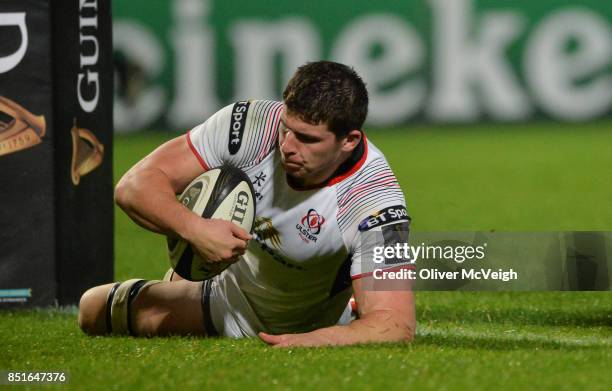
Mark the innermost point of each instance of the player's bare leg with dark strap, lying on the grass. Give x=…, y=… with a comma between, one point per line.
x=162, y=308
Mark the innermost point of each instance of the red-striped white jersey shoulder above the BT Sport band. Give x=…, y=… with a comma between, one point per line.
x=372, y=189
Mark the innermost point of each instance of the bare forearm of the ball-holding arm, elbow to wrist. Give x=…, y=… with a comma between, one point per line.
x=149, y=199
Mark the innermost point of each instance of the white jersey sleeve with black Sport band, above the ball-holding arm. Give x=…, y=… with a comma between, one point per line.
x=241, y=134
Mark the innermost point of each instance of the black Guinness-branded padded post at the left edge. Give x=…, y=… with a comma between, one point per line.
x=56, y=202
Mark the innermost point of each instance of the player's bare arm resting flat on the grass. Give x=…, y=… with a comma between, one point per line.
x=385, y=316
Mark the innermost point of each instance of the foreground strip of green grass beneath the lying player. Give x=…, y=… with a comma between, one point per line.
x=465, y=341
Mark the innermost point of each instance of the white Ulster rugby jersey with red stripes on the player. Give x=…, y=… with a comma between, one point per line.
x=296, y=274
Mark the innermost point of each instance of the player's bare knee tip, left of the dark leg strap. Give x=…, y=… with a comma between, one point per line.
x=92, y=308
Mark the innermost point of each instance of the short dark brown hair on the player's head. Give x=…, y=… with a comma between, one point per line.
x=326, y=92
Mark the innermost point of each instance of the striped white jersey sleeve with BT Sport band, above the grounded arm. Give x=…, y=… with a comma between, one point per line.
x=372, y=215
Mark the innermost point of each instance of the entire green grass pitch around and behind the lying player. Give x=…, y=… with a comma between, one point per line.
x=535, y=177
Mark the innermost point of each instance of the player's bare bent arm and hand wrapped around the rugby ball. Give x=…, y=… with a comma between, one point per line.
x=147, y=193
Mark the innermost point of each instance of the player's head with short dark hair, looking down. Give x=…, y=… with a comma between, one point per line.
x=325, y=106
